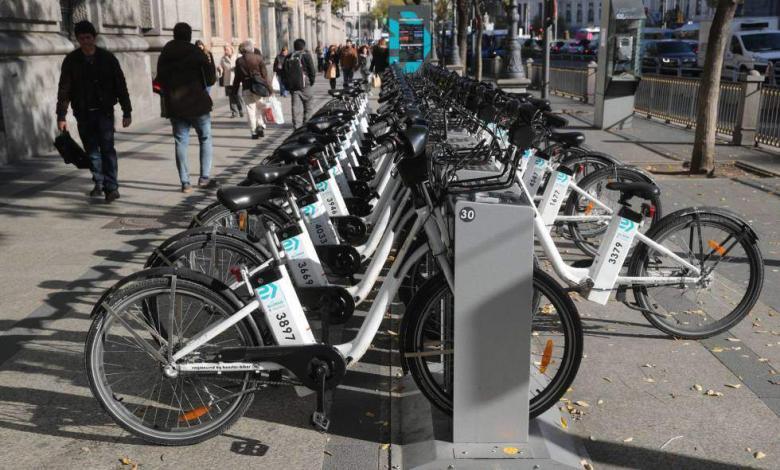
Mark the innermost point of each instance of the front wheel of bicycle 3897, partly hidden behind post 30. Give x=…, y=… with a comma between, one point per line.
x=556, y=343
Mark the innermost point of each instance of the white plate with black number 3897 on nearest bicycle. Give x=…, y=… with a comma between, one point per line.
x=284, y=311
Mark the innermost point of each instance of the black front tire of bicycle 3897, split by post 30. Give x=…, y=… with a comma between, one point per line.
x=412, y=333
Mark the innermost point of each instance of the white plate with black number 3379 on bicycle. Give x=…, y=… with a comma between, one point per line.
x=612, y=253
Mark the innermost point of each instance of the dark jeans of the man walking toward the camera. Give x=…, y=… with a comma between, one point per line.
x=96, y=130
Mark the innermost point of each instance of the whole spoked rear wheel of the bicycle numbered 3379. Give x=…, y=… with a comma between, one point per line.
x=728, y=288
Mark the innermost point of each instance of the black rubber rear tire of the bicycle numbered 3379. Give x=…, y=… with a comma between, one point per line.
x=640, y=260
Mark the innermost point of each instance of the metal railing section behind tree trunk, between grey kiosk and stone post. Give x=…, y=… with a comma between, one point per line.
x=674, y=100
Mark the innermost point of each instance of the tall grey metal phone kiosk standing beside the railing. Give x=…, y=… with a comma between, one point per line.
x=619, y=62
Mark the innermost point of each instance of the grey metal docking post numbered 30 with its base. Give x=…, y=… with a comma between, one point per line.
x=490, y=426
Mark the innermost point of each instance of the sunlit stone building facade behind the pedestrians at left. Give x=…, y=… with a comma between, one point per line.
x=35, y=36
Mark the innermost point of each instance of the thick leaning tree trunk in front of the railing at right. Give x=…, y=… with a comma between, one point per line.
x=703, y=156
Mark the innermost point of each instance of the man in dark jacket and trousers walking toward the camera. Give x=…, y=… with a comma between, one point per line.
x=92, y=82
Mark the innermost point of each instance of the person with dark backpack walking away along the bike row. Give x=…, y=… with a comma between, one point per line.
x=298, y=75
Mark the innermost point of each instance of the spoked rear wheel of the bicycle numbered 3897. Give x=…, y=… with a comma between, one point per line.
x=128, y=380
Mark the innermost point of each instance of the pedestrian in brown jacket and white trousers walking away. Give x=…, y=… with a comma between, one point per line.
x=252, y=77
